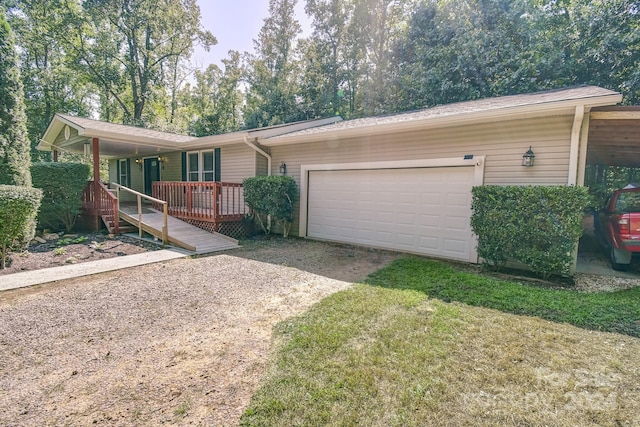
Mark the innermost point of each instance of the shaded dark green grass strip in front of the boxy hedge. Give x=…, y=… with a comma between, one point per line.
x=611, y=312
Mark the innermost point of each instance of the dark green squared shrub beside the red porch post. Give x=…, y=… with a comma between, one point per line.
x=62, y=185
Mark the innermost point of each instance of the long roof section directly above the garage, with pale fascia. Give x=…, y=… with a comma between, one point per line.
x=550, y=102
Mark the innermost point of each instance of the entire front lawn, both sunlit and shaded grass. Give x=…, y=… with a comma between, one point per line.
x=409, y=348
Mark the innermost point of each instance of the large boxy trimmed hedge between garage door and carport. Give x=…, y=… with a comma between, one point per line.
x=538, y=226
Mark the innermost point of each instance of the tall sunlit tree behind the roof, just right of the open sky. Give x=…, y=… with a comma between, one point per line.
x=271, y=71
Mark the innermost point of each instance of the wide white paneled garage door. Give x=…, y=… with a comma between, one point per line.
x=420, y=210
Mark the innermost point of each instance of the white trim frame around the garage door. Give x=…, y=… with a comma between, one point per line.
x=476, y=162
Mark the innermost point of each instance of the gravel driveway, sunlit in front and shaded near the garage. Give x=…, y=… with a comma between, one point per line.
x=183, y=342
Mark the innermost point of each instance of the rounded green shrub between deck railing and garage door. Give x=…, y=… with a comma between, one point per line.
x=271, y=195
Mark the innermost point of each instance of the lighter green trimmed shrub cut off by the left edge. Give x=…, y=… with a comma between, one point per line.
x=18, y=210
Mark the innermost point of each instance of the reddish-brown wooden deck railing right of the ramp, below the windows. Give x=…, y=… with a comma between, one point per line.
x=203, y=201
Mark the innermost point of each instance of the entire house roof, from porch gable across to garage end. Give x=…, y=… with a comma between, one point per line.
x=70, y=133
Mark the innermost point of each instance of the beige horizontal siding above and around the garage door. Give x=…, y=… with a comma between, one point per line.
x=503, y=144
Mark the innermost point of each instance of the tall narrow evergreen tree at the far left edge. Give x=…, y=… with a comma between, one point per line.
x=14, y=143
